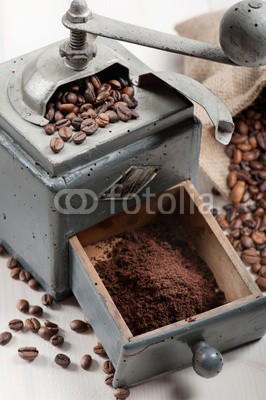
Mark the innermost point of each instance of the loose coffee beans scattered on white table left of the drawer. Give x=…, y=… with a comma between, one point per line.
x=50, y=331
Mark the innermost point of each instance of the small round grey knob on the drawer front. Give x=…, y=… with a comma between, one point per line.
x=207, y=361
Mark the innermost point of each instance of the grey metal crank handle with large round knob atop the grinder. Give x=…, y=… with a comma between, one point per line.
x=242, y=34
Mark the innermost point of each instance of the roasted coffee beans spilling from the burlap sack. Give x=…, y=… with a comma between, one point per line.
x=245, y=217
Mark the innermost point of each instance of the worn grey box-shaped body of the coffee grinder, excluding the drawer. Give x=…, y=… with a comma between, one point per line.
x=165, y=139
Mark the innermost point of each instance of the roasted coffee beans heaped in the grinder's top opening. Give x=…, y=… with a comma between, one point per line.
x=76, y=111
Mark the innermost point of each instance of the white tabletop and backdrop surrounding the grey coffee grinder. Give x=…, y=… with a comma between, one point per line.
x=25, y=26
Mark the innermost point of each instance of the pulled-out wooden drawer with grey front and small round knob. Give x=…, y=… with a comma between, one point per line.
x=171, y=347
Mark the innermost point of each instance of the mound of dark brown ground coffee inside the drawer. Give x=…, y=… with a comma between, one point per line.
x=156, y=280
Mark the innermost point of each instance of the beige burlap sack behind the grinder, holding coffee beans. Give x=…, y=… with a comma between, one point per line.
x=238, y=87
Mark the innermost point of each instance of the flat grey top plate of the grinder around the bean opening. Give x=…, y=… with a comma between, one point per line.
x=157, y=106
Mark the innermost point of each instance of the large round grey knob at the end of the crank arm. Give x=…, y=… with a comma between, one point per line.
x=243, y=33
